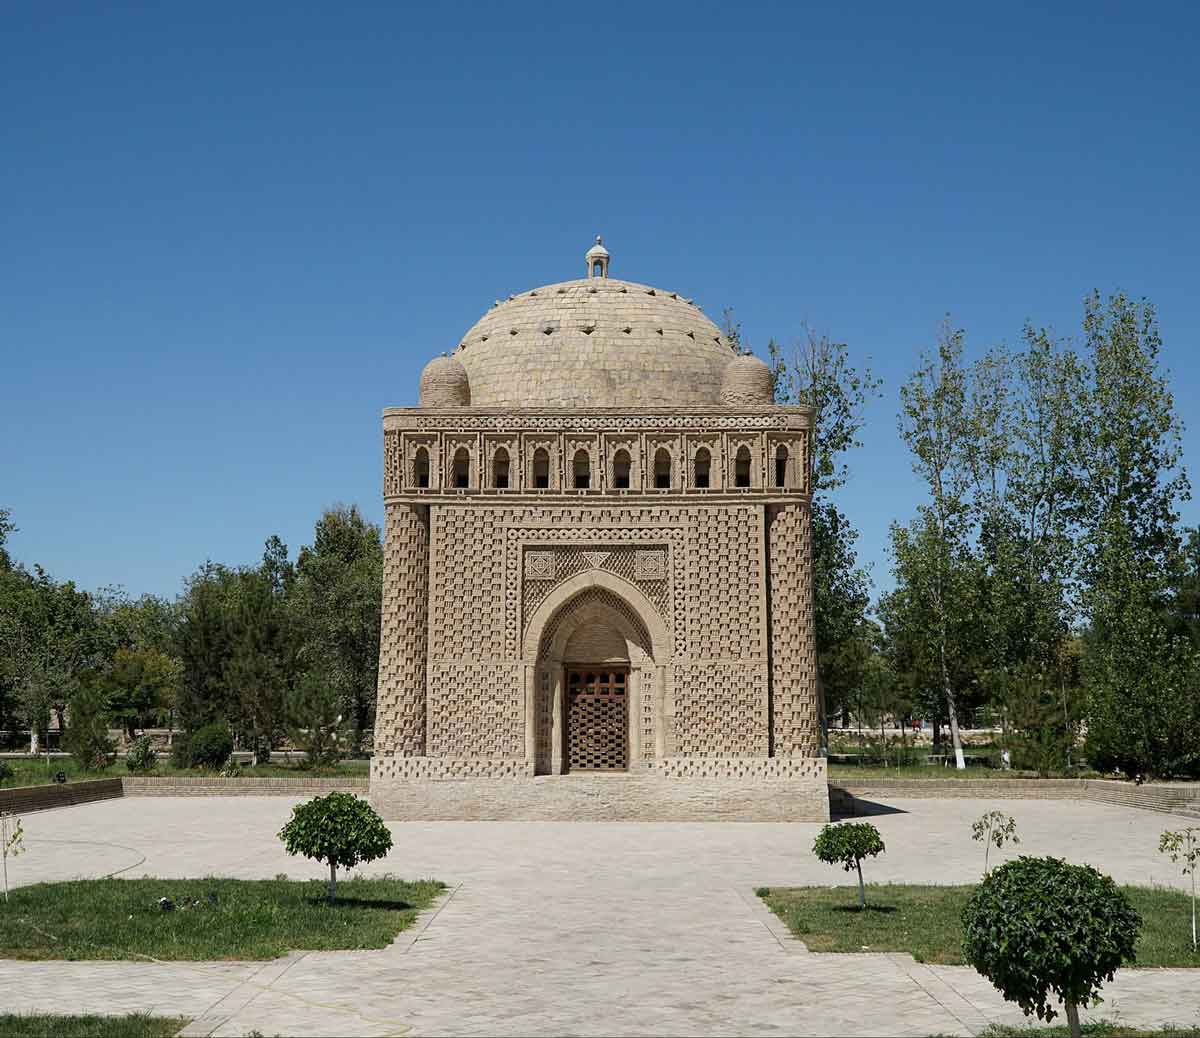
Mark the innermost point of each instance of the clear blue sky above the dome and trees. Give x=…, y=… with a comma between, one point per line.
x=231, y=236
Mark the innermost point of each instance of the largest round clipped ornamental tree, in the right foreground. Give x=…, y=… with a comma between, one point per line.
x=1040, y=928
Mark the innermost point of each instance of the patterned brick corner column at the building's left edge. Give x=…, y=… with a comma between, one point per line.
x=404, y=639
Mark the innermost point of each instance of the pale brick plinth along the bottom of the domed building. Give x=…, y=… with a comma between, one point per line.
x=680, y=790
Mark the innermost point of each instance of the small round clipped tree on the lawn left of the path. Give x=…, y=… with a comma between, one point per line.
x=338, y=829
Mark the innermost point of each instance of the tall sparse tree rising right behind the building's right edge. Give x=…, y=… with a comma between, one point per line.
x=820, y=374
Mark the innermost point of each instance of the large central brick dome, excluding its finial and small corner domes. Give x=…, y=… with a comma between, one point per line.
x=595, y=343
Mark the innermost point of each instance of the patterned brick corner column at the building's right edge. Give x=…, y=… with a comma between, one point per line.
x=794, y=661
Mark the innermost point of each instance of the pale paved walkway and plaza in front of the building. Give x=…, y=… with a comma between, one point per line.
x=577, y=929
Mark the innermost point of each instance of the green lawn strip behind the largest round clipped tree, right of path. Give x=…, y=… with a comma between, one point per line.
x=927, y=921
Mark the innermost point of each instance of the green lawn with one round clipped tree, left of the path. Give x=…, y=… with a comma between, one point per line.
x=214, y=919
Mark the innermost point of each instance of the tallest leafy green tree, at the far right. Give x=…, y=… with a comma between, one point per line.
x=1143, y=679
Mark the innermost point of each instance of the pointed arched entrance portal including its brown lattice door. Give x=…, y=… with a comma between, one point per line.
x=596, y=652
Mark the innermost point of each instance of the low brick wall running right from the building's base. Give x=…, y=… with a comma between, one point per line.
x=1183, y=800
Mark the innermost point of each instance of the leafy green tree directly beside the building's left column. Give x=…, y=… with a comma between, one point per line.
x=335, y=601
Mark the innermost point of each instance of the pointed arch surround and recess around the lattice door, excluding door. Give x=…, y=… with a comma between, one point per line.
x=601, y=614
